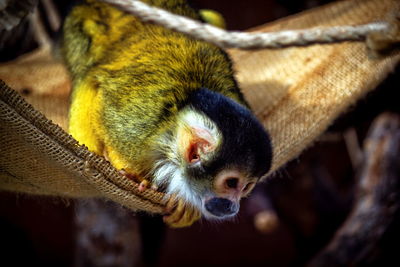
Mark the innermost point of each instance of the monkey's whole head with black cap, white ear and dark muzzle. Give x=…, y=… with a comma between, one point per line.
x=222, y=151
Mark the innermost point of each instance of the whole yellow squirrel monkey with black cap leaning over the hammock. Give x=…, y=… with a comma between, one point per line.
x=163, y=107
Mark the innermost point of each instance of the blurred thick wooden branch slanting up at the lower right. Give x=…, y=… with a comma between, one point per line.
x=377, y=199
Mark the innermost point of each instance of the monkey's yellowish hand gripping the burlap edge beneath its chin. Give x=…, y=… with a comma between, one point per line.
x=180, y=213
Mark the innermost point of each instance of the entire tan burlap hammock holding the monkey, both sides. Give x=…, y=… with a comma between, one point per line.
x=295, y=92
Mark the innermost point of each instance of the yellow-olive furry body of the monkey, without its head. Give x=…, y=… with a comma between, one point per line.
x=130, y=78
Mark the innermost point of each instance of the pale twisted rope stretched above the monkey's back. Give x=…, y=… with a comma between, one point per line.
x=234, y=39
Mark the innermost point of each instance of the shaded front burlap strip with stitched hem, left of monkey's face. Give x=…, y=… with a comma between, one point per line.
x=38, y=157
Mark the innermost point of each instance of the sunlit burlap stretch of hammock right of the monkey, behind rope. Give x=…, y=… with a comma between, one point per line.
x=298, y=92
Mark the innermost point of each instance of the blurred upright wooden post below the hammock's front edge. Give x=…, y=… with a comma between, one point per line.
x=107, y=235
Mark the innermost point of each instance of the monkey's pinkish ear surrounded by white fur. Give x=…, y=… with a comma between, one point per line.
x=195, y=143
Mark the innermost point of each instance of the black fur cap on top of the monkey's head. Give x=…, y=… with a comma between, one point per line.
x=245, y=143
